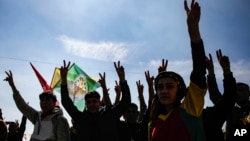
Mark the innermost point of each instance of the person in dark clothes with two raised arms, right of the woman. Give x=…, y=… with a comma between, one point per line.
x=215, y=116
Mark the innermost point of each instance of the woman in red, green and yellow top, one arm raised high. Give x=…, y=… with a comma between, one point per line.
x=176, y=111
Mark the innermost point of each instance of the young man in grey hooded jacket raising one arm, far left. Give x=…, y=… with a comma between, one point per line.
x=49, y=123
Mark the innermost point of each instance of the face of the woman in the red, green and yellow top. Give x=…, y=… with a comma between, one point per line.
x=167, y=91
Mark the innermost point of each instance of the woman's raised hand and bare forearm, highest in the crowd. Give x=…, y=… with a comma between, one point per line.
x=193, y=18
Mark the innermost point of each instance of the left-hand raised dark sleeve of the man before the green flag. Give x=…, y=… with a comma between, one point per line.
x=68, y=104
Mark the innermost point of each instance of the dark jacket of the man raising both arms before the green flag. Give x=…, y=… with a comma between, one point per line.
x=102, y=126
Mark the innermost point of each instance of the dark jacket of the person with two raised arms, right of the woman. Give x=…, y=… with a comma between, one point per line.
x=215, y=116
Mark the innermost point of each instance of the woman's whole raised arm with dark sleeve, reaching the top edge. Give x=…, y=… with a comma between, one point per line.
x=197, y=46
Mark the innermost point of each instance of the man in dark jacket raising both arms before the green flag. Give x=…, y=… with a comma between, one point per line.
x=96, y=123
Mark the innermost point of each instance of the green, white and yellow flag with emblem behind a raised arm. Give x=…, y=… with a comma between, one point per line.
x=79, y=83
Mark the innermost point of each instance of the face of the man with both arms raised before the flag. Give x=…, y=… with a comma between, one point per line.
x=93, y=105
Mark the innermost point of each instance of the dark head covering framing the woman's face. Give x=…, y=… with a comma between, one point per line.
x=181, y=84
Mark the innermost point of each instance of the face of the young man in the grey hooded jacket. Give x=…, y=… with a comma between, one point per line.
x=46, y=104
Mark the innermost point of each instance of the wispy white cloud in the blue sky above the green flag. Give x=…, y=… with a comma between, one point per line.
x=105, y=51
